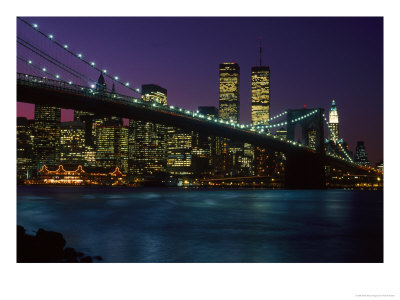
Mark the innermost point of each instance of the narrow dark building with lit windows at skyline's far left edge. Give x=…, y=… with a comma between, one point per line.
x=24, y=148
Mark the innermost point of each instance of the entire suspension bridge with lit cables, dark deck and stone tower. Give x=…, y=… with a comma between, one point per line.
x=67, y=86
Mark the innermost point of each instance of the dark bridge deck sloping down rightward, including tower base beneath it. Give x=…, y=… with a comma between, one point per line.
x=300, y=159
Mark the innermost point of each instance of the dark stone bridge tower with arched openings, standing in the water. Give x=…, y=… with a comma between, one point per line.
x=304, y=170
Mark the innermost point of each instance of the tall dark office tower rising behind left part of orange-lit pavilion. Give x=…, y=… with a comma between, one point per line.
x=46, y=142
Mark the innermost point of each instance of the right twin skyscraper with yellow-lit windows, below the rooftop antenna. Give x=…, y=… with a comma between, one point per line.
x=260, y=93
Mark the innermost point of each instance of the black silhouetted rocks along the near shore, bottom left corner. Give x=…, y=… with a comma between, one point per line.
x=47, y=247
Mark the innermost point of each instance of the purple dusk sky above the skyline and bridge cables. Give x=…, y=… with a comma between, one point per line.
x=312, y=61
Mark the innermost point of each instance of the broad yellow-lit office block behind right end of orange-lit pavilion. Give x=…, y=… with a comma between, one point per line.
x=111, y=146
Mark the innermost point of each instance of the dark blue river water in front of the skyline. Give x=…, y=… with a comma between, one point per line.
x=191, y=225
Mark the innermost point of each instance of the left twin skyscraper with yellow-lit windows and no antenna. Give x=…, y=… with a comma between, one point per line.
x=229, y=92
